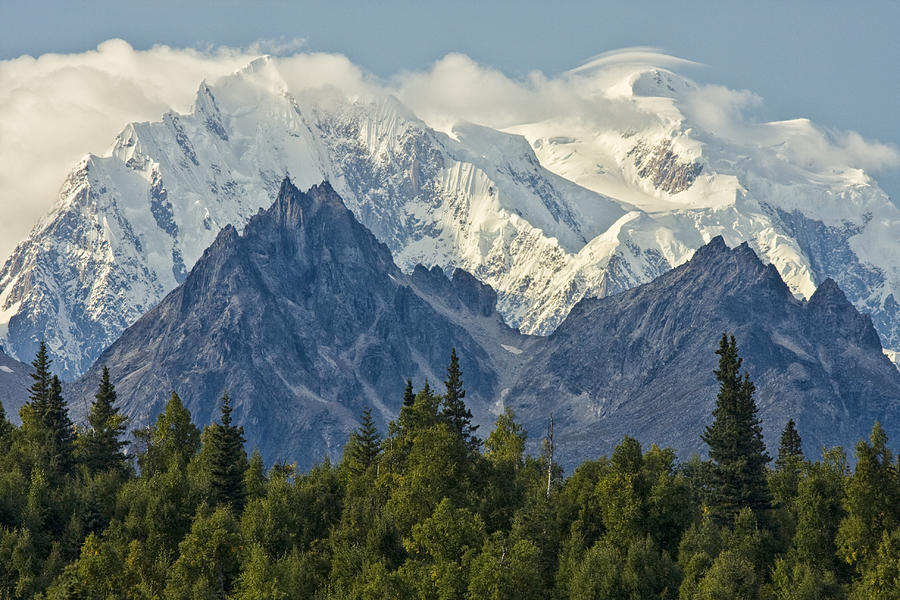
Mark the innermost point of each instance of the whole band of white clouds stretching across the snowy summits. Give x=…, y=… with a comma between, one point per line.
x=56, y=108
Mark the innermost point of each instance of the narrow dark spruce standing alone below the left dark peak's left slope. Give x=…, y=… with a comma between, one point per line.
x=228, y=460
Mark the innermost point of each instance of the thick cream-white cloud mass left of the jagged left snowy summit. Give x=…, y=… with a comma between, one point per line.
x=58, y=107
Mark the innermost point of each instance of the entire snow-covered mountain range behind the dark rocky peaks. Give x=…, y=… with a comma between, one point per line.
x=546, y=213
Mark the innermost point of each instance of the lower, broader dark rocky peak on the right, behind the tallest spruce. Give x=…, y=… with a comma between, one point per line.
x=641, y=362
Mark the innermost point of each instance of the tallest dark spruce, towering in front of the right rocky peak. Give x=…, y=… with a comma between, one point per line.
x=735, y=442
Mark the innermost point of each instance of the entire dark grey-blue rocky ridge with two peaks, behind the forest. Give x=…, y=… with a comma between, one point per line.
x=305, y=320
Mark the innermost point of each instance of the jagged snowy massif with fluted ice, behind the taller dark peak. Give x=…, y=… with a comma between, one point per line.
x=128, y=226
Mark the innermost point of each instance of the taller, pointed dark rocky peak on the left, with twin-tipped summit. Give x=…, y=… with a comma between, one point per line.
x=304, y=319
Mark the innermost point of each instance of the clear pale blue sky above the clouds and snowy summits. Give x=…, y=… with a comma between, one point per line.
x=834, y=62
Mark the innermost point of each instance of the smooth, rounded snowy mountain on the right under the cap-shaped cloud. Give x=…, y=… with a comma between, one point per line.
x=697, y=178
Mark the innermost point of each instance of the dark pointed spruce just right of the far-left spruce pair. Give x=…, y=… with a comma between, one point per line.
x=101, y=446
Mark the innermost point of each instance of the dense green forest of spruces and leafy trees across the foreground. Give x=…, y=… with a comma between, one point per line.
x=428, y=509
